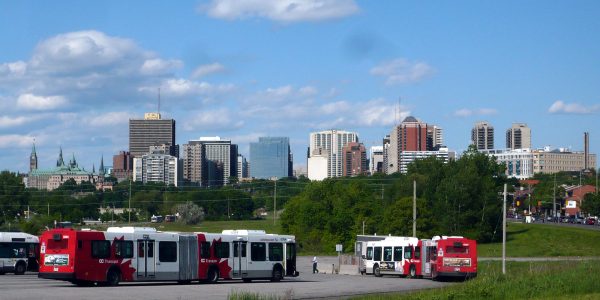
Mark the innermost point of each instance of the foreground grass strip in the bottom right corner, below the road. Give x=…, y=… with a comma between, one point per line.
x=524, y=280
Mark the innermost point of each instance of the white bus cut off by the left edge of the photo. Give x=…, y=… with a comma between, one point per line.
x=18, y=252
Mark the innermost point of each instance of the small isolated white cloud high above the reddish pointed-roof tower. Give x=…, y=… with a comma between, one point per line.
x=402, y=71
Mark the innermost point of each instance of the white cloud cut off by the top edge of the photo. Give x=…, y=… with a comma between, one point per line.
x=286, y=11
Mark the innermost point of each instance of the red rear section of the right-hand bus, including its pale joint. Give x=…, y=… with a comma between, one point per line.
x=449, y=256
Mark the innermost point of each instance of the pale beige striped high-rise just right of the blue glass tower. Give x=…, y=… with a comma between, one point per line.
x=332, y=141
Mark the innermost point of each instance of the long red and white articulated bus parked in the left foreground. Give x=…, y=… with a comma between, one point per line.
x=84, y=257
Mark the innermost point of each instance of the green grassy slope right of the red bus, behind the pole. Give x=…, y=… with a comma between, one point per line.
x=530, y=240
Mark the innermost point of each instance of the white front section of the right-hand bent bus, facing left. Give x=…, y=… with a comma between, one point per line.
x=393, y=256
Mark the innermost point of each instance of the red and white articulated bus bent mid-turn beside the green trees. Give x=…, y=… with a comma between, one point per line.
x=445, y=256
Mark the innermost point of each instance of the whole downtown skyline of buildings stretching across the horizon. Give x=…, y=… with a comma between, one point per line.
x=154, y=156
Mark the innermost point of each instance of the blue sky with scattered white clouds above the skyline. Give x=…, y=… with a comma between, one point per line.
x=72, y=73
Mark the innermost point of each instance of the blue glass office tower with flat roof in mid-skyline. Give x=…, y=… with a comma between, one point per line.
x=271, y=157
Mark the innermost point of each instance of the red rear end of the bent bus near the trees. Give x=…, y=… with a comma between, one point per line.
x=456, y=257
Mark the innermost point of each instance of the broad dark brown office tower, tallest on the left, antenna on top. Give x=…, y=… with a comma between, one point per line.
x=151, y=131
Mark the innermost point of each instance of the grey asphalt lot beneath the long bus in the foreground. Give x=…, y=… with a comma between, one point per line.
x=306, y=286
